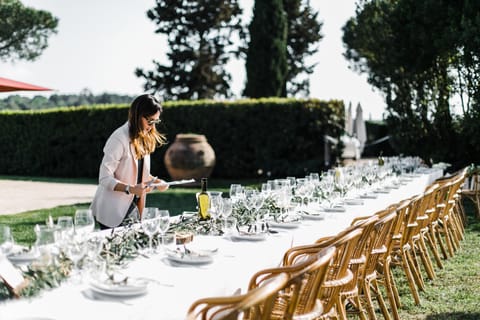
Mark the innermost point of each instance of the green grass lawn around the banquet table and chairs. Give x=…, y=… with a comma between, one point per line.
x=454, y=294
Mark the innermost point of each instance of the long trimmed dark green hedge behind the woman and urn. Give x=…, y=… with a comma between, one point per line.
x=251, y=138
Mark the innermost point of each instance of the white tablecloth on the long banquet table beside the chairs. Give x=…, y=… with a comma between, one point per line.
x=174, y=287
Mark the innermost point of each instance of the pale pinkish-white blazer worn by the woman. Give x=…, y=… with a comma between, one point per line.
x=119, y=165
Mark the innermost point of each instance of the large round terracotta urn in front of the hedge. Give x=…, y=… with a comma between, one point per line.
x=189, y=156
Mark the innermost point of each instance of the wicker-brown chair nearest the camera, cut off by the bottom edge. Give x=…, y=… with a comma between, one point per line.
x=255, y=304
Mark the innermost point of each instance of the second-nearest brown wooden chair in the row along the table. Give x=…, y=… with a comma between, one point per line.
x=300, y=298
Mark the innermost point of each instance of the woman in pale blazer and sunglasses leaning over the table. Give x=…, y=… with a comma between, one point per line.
x=124, y=176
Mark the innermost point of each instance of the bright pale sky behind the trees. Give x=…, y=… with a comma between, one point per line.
x=100, y=43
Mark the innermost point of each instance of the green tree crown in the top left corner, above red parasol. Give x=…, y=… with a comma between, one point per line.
x=24, y=31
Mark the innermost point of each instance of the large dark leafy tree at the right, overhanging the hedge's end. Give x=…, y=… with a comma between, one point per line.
x=421, y=55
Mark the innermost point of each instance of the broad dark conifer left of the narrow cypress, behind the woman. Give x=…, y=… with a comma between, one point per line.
x=201, y=38
